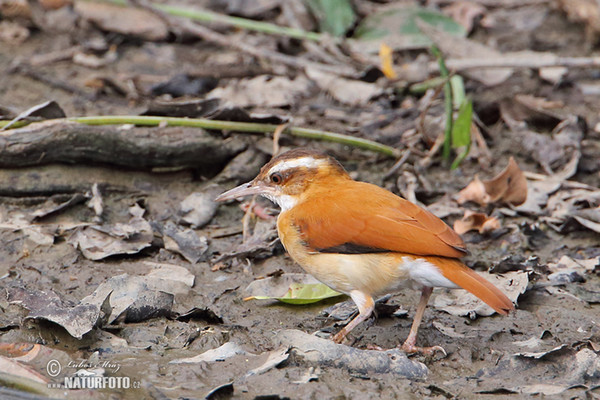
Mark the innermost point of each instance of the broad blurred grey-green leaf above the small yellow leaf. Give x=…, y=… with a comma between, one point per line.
x=397, y=27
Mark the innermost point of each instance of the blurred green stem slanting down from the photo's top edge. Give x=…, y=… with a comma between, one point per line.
x=209, y=16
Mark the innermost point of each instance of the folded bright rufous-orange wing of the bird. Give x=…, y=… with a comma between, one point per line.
x=366, y=216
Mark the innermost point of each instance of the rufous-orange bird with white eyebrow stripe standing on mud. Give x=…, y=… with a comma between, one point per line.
x=363, y=240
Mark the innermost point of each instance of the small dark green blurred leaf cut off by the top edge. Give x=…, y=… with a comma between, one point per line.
x=334, y=16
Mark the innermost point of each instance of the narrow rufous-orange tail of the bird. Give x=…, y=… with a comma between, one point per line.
x=471, y=281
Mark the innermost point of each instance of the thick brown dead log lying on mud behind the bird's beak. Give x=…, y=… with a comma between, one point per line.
x=140, y=147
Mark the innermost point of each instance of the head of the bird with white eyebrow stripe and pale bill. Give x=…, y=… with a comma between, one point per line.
x=287, y=178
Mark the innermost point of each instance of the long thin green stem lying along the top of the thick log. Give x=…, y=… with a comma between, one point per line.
x=250, y=127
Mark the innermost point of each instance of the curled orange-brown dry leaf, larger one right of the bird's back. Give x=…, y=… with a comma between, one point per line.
x=509, y=186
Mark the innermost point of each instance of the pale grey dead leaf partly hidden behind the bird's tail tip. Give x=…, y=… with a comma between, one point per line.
x=460, y=302
